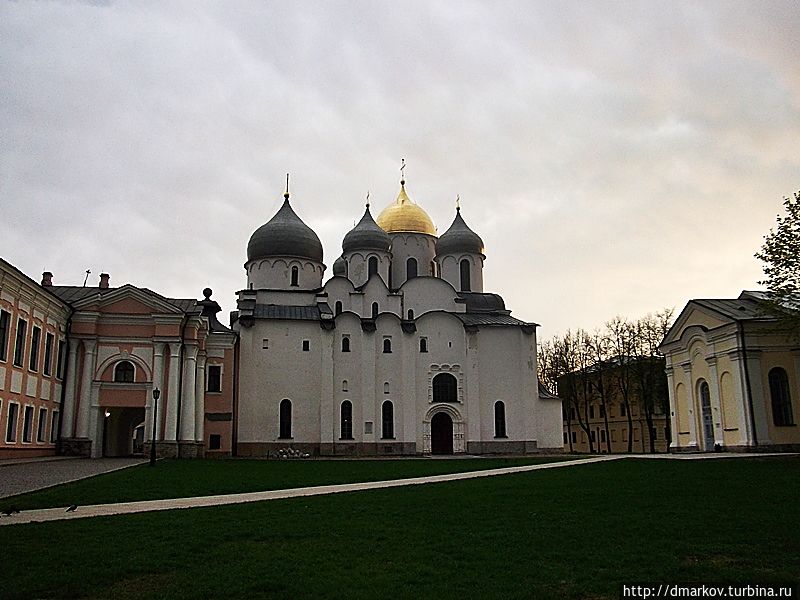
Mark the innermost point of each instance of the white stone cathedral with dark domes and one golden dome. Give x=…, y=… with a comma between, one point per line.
x=400, y=352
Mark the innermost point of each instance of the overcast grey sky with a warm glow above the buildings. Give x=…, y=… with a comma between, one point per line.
x=616, y=157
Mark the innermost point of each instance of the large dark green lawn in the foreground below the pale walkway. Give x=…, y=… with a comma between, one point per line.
x=577, y=532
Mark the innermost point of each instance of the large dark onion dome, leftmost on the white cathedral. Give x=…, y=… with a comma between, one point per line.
x=285, y=234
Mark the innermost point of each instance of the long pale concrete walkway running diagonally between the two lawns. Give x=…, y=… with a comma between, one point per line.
x=97, y=510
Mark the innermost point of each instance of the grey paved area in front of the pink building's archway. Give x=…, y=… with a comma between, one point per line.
x=30, y=475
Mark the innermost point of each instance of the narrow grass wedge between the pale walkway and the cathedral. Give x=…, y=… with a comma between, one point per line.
x=185, y=478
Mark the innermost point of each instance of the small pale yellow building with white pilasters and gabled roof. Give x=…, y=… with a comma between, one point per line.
x=733, y=377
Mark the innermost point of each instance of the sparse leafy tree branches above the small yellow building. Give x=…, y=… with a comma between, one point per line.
x=780, y=254
